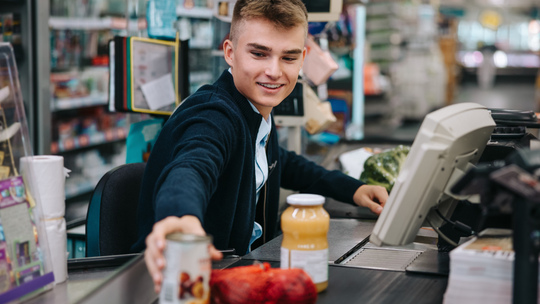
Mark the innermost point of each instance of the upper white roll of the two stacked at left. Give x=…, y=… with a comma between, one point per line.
x=48, y=177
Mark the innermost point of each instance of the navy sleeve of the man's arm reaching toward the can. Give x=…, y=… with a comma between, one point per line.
x=201, y=139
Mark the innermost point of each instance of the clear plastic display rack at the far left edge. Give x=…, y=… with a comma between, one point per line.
x=25, y=265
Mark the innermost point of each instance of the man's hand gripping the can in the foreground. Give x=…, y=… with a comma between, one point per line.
x=155, y=243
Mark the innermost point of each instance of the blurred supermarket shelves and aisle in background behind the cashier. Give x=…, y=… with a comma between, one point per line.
x=418, y=56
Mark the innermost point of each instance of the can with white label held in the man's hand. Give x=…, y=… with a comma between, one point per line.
x=186, y=276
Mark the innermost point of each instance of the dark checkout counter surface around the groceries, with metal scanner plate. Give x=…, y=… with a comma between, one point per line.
x=384, y=280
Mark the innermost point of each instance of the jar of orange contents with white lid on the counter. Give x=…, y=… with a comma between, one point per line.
x=305, y=245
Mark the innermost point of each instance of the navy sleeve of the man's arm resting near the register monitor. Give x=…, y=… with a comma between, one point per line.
x=300, y=174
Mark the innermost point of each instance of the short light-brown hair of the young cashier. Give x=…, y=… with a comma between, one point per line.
x=283, y=14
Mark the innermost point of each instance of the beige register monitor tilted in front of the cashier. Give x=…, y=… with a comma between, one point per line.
x=449, y=142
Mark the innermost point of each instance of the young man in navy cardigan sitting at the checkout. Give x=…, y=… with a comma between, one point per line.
x=217, y=167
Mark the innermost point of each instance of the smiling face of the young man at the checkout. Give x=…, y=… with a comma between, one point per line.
x=265, y=62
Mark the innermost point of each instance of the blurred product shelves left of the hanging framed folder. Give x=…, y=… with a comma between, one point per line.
x=82, y=130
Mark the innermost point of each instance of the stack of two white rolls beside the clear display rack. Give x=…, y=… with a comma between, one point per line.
x=48, y=175
